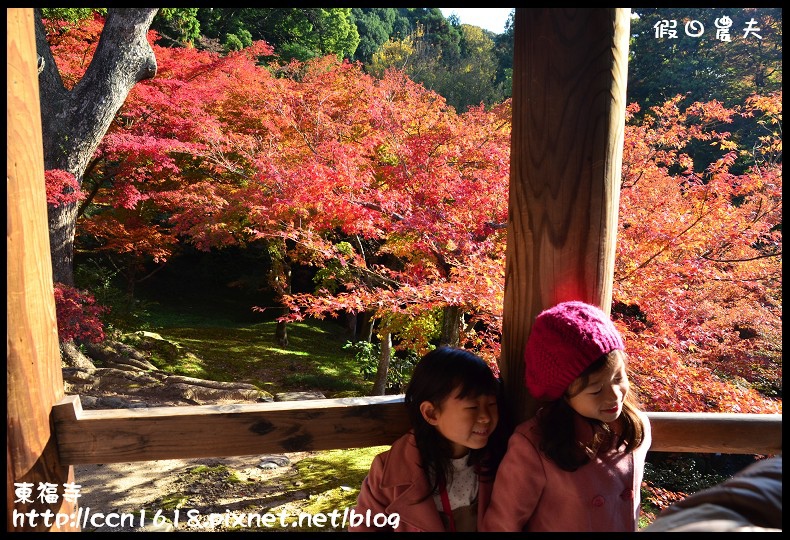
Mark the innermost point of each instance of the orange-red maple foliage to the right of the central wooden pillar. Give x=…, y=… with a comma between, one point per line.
x=698, y=269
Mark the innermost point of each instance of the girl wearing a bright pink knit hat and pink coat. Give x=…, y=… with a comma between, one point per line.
x=578, y=464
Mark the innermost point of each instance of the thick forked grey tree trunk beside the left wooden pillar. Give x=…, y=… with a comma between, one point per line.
x=74, y=121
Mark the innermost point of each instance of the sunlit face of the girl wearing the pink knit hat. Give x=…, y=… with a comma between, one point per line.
x=602, y=397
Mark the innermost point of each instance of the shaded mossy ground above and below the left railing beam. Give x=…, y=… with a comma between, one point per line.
x=210, y=332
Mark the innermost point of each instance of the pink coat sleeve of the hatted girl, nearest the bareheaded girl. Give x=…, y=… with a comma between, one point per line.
x=517, y=488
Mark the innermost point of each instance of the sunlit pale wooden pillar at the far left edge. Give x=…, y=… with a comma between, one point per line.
x=35, y=380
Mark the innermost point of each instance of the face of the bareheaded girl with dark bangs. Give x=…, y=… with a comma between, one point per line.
x=465, y=422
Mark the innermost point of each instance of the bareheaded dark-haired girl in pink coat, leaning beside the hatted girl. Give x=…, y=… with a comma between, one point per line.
x=438, y=476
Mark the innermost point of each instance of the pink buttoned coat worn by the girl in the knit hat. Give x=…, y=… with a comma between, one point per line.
x=532, y=494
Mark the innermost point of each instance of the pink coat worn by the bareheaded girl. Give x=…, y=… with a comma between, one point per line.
x=394, y=484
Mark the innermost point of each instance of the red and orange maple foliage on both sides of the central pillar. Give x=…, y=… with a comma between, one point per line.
x=400, y=202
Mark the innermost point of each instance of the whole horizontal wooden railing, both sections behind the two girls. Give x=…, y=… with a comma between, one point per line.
x=122, y=435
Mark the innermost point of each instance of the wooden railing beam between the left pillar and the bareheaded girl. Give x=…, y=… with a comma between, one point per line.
x=120, y=435
